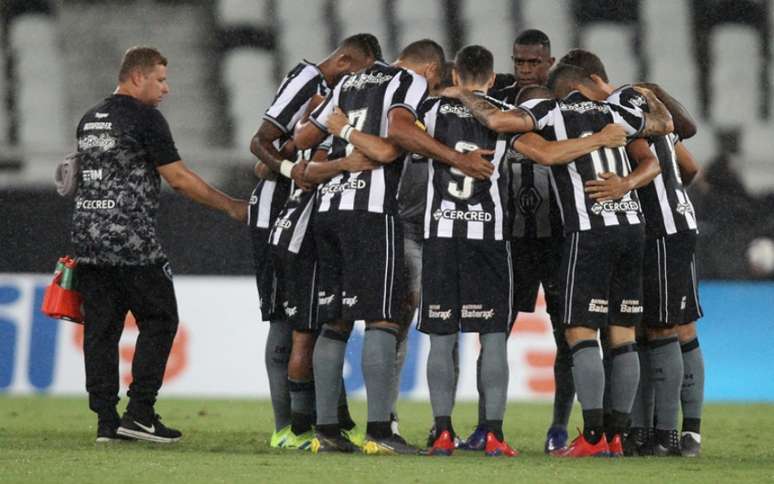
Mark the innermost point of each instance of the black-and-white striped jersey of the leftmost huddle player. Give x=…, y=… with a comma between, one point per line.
x=289, y=105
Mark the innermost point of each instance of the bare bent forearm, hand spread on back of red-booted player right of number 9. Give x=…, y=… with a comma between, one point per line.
x=613, y=187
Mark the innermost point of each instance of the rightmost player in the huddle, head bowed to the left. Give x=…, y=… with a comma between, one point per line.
x=669, y=278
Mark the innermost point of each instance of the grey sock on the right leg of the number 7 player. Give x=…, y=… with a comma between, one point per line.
x=378, y=369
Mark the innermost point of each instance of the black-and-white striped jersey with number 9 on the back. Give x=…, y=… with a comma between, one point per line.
x=460, y=206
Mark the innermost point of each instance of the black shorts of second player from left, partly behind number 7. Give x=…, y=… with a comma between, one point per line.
x=297, y=285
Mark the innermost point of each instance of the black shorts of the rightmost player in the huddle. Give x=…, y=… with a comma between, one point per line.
x=670, y=290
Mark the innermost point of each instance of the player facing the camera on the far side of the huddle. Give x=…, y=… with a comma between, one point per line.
x=536, y=236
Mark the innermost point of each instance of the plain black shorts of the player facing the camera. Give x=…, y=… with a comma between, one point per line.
x=536, y=262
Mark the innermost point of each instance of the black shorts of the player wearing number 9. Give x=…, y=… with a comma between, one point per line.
x=467, y=285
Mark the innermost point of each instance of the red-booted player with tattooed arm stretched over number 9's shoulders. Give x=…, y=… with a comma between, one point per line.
x=607, y=231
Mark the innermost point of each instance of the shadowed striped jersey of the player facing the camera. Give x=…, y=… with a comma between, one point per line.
x=533, y=207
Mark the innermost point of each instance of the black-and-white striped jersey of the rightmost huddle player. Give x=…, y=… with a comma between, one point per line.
x=665, y=202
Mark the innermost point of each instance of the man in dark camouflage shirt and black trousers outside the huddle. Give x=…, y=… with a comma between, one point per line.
x=125, y=145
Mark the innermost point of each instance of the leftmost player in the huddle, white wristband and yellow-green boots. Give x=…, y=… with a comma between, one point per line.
x=272, y=144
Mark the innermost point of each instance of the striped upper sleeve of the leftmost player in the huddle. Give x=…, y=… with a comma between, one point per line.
x=292, y=99
